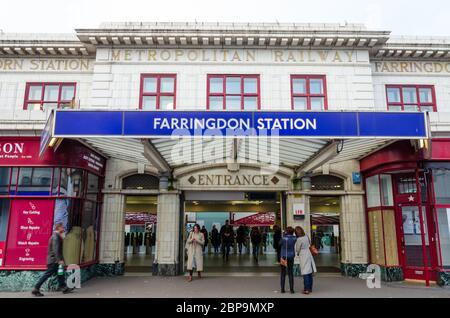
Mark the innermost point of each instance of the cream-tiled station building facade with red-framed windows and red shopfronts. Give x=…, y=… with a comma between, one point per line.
x=392, y=193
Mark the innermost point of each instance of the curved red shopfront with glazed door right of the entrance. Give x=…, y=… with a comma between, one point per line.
x=408, y=210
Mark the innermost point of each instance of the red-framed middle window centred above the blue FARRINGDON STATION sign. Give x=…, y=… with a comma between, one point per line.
x=233, y=92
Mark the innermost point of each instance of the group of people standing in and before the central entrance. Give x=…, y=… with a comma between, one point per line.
x=293, y=248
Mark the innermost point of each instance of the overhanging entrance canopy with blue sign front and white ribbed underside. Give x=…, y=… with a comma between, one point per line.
x=174, y=139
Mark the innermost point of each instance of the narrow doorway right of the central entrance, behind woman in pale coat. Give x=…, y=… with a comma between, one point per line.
x=325, y=231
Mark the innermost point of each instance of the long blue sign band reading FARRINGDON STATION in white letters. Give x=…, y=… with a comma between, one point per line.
x=162, y=124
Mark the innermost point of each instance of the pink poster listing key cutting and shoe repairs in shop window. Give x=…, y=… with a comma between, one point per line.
x=30, y=228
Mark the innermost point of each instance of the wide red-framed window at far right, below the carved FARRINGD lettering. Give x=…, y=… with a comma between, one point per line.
x=411, y=98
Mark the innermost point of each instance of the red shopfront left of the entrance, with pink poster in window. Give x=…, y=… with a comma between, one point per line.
x=63, y=186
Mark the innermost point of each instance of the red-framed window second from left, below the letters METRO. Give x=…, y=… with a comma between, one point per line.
x=158, y=91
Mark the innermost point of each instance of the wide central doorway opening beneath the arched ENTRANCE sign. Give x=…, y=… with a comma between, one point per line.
x=245, y=212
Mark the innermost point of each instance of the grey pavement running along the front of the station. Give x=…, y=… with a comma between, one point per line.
x=239, y=286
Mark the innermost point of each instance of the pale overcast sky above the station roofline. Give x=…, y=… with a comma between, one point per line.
x=402, y=17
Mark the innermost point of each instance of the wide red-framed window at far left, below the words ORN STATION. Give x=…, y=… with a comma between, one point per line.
x=40, y=96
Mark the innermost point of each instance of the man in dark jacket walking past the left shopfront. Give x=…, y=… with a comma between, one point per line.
x=54, y=259
